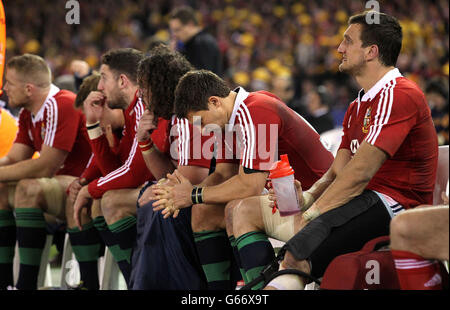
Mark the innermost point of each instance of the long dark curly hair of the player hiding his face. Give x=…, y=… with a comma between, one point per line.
x=158, y=74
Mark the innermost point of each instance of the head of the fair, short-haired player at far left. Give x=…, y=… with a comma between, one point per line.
x=25, y=76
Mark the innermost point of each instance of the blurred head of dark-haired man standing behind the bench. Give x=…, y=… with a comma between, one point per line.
x=183, y=23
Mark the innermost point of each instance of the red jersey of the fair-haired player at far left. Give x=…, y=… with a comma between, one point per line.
x=57, y=124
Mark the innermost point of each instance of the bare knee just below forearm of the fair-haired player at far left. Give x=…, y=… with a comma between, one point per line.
x=28, y=194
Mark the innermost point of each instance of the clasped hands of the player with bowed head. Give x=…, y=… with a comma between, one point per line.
x=177, y=196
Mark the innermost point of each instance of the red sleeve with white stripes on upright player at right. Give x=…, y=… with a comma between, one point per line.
x=396, y=114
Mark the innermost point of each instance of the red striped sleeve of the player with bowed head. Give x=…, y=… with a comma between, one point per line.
x=258, y=130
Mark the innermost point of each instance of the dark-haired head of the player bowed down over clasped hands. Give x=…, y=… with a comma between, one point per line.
x=201, y=93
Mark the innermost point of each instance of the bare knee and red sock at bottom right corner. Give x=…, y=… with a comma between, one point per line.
x=419, y=238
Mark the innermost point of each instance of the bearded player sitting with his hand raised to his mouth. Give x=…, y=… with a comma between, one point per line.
x=123, y=173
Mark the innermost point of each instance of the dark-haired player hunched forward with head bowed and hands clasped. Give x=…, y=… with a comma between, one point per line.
x=261, y=120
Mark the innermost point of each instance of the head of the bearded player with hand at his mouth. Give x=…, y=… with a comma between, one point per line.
x=118, y=76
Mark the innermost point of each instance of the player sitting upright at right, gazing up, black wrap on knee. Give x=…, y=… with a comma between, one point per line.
x=386, y=162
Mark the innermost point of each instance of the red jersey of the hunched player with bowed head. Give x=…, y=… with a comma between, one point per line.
x=267, y=128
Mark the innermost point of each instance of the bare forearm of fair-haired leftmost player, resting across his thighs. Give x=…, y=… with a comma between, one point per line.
x=30, y=168
